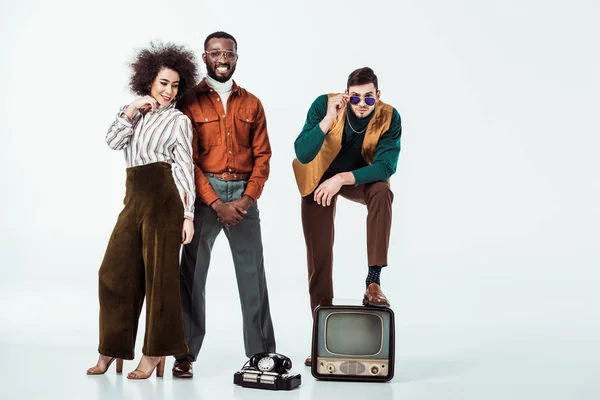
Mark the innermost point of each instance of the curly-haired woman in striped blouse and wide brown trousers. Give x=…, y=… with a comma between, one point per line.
x=142, y=257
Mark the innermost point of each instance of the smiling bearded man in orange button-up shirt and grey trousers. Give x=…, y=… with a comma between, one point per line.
x=231, y=154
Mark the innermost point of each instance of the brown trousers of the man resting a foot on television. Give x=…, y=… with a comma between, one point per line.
x=318, y=225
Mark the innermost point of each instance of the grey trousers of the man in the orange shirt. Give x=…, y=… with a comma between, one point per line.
x=246, y=247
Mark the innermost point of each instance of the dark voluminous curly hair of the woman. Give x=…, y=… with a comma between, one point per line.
x=148, y=62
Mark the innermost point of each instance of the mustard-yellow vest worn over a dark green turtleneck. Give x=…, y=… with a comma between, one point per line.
x=308, y=175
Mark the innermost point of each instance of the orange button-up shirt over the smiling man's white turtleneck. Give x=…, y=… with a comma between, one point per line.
x=235, y=141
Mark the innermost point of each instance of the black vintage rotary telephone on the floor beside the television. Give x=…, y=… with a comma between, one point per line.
x=267, y=371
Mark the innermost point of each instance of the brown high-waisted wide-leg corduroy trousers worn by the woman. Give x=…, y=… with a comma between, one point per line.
x=142, y=259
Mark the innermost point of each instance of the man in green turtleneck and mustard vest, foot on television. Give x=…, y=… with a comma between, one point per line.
x=349, y=146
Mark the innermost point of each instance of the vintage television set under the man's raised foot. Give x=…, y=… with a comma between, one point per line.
x=352, y=342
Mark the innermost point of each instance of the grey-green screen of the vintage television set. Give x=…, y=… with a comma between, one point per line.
x=353, y=333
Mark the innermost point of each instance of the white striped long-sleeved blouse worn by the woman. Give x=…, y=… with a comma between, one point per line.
x=163, y=135
